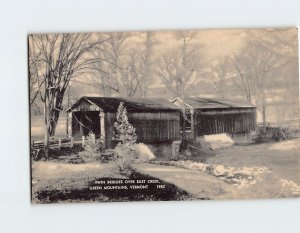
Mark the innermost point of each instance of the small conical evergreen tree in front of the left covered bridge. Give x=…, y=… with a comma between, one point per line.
x=124, y=131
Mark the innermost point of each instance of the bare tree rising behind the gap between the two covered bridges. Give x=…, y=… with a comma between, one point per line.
x=178, y=69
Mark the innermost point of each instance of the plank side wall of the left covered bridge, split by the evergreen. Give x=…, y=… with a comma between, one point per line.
x=151, y=127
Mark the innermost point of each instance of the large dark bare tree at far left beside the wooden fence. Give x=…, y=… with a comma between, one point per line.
x=60, y=57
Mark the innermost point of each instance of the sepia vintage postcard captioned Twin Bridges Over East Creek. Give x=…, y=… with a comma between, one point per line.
x=164, y=115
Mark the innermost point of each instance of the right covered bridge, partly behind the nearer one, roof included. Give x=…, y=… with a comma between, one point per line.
x=206, y=116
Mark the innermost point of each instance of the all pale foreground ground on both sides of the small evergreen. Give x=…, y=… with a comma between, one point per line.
x=269, y=170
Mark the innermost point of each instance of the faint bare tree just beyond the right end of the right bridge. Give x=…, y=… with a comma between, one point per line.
x=255, y=67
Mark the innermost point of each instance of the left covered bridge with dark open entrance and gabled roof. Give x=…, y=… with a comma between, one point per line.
x=155, y=119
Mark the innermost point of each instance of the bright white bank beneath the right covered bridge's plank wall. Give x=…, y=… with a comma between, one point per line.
x=216, y=141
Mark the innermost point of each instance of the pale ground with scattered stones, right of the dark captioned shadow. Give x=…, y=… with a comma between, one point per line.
x=239, y=172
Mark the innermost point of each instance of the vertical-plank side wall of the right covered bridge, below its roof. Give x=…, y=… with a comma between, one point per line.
x=225, y=121
